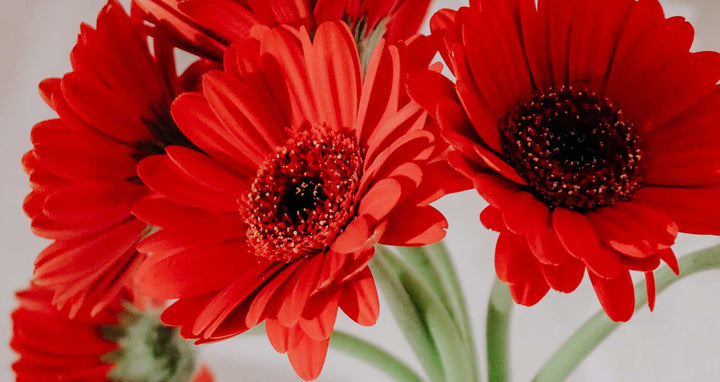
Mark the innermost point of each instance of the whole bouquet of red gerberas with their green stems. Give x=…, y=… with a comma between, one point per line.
x=221, y=165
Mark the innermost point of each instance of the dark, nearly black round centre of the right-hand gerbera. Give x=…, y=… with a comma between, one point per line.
x=575, y=149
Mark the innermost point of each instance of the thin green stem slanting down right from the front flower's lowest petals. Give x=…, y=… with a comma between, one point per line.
x=373, y=355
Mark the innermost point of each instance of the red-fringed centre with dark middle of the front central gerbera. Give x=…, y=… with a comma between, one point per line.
x=303, y=195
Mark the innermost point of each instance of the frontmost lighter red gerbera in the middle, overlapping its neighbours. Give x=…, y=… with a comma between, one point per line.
x=305, y=167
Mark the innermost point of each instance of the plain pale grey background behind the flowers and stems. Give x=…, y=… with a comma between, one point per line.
x=678, y=342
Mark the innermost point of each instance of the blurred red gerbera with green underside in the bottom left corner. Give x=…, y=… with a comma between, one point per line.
x=115, y=345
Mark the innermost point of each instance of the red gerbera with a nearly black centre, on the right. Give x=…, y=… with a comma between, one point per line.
x=590, y=130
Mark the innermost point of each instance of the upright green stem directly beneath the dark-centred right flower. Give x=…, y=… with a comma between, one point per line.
x=497, y=332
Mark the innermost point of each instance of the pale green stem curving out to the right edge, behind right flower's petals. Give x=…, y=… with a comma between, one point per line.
x=575, y=349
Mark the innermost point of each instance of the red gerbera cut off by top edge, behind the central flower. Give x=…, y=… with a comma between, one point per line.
x=208, y=27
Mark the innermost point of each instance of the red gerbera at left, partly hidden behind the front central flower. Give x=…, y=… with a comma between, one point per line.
x=114, y=109
